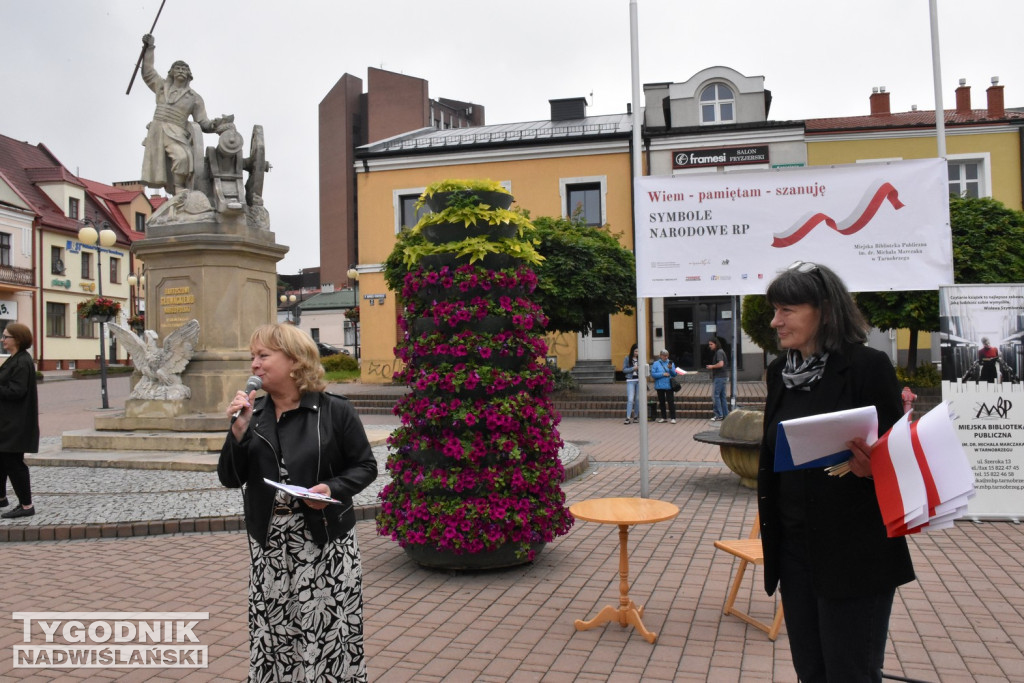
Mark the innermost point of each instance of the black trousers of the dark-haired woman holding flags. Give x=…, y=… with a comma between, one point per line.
x=833, y=641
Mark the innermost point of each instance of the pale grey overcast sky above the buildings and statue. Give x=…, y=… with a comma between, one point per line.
x=65, y=66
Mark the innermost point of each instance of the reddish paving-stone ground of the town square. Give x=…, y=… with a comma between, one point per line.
x=962, y=621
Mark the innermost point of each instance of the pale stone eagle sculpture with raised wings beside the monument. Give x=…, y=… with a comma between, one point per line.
x=161, y=366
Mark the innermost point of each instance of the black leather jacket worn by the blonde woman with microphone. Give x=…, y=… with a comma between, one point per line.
x=321, y=442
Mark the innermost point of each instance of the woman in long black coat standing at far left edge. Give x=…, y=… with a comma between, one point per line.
x=19, y=418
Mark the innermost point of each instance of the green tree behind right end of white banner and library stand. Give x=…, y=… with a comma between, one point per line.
x=989, y=247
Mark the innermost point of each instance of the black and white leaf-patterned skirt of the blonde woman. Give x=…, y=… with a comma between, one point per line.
x=306, y=607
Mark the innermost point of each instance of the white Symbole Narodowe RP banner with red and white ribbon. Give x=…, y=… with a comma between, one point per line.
x=882, y=227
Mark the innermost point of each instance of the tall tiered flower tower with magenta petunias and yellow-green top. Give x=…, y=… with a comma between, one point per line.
x=476, y=475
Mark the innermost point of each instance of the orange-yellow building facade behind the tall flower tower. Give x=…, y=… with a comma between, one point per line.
x=543, y=180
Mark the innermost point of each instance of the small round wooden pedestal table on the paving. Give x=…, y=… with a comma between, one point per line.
x=624, y=513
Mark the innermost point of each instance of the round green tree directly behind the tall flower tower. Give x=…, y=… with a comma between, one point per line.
x=585, y=276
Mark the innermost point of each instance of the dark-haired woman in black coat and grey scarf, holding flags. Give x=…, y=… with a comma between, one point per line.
x=825, y=543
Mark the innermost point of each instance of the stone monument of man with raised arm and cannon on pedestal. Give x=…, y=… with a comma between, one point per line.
x=209, y=253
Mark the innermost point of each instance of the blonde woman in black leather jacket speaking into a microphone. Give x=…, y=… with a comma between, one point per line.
x=306, y=588
